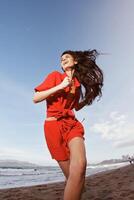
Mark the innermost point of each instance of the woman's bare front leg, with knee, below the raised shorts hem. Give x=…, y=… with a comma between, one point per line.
x=77, y=169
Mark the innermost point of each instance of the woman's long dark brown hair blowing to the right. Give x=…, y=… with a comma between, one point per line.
x=88, y=73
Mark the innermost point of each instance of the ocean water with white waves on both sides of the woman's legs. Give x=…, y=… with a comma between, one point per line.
x=17, y=177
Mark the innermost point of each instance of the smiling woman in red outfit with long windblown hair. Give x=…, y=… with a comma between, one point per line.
x=78, y=86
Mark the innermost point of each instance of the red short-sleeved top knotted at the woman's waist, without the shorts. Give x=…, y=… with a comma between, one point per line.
x=62, y=102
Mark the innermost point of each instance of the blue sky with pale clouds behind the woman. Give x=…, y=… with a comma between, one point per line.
x=33, y=34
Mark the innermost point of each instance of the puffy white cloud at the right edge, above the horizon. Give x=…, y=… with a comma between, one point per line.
x=116, y=129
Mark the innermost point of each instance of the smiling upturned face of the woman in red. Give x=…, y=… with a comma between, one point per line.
x=67, y=61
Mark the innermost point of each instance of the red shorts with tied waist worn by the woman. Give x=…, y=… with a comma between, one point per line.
x=58, y=133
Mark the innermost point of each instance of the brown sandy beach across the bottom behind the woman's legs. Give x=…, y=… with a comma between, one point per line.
x=117, y=184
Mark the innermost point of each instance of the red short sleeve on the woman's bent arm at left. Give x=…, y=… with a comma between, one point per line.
x=49, y=82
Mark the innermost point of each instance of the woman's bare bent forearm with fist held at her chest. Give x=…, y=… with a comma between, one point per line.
x=40, y=96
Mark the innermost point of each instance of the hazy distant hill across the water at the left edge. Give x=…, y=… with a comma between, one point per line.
x=16, y=164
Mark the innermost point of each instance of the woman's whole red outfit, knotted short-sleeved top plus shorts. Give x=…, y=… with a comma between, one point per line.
x=60, y=105
